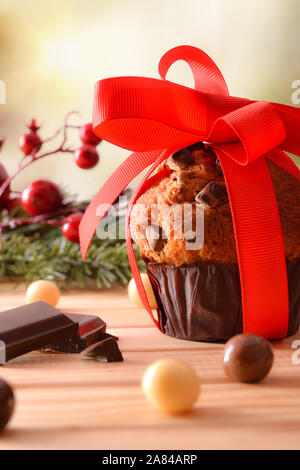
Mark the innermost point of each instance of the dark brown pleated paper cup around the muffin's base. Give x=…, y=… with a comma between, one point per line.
x=202, y=301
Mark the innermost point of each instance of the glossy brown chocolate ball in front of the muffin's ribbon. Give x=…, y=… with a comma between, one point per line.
x=247, y=358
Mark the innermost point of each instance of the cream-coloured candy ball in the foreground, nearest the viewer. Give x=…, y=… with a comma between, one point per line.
x=171, y=385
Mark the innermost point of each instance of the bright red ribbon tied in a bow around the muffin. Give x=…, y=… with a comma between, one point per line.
x=154, y=118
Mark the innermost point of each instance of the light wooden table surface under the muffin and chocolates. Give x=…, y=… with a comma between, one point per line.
x=67, y=402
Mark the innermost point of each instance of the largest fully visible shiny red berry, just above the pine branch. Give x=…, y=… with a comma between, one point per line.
x=41, y=196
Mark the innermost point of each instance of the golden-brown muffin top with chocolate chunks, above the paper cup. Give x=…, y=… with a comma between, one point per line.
x=184, y=216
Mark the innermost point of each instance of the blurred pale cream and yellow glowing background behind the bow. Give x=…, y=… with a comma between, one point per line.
x=53, y=51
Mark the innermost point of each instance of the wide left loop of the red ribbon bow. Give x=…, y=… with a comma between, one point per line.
x=154, y=115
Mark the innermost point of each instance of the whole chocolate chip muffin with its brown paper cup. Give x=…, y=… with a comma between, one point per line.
x=183, y=226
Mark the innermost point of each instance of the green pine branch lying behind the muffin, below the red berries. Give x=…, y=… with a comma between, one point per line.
x=37, y=251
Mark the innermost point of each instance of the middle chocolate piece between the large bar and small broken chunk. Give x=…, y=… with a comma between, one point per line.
x=91, y=328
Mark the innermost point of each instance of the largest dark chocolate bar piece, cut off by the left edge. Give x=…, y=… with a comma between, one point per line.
x=31, y=327
